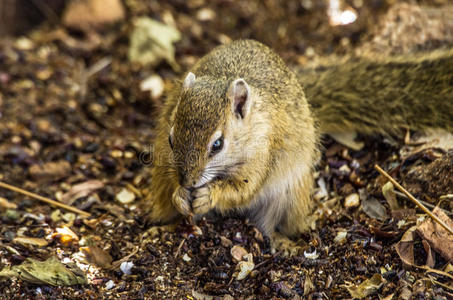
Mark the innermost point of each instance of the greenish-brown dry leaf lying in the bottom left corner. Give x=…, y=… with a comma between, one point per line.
x=50, y=271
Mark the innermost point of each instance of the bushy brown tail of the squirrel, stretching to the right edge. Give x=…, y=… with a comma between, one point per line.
x=383, y=95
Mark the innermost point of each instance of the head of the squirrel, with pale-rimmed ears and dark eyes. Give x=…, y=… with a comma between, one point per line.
x=210, y=118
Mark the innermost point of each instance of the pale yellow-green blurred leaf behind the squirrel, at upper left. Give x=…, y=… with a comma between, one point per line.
x=152, y=41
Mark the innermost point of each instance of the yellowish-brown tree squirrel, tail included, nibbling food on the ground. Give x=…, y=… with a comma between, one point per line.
x=238, y=134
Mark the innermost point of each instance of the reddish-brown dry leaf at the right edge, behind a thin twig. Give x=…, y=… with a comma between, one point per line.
x=438, y=238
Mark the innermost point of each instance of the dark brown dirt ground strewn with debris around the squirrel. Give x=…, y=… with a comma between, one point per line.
x=76, y=125
